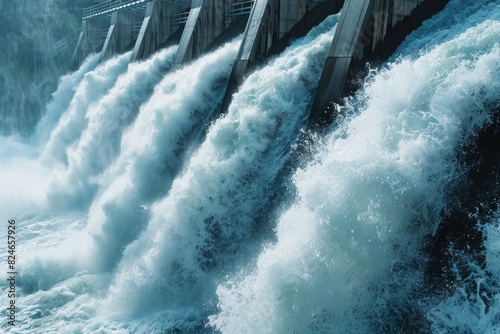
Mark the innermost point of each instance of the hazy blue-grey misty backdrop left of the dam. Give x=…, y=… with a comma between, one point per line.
x=38, y=38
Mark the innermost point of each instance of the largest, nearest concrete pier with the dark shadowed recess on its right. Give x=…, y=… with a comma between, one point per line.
x=367, y=30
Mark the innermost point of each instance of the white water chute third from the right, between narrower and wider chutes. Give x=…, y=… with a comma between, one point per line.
x=153, y=150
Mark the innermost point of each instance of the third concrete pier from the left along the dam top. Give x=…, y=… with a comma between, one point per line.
x=156, y=28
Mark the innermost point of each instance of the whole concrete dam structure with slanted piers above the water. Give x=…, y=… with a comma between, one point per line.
x=367, y=30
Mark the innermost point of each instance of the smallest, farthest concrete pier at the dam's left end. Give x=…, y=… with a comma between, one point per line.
x=88, y=41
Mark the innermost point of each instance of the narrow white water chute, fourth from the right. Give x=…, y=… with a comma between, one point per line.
x=99, y=143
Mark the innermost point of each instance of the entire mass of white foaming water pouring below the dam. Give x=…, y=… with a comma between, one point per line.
x=140, y=210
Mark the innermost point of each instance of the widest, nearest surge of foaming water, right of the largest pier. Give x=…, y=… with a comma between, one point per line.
x=349, y=248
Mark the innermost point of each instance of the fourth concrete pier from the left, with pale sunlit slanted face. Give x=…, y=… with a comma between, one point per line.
x=206, y=21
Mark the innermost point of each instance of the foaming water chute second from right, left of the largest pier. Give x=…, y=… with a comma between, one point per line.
x=209, y=211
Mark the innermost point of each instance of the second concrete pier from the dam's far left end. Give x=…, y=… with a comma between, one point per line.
x=119, y=34
